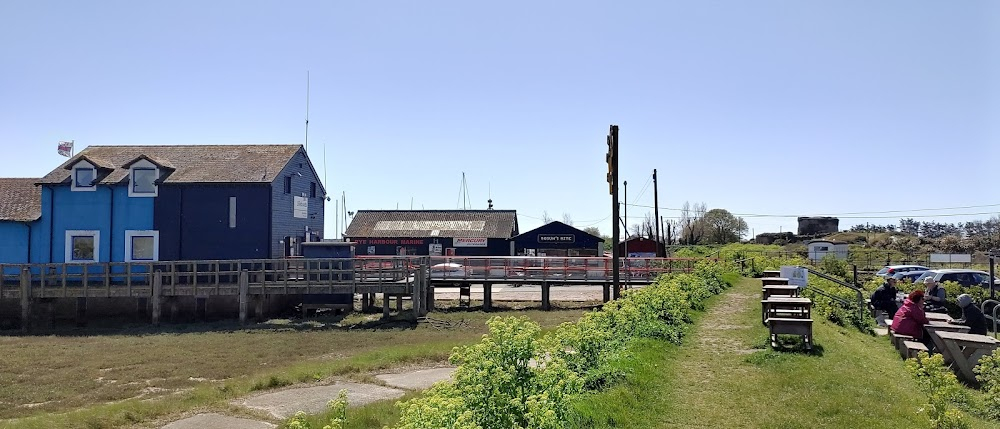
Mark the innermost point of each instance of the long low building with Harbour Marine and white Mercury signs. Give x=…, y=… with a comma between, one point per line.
x=433, y=232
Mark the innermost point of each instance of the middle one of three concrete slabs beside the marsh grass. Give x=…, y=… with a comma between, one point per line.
x=313, y=400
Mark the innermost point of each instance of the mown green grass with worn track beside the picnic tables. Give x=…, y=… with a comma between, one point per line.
x=725, y=376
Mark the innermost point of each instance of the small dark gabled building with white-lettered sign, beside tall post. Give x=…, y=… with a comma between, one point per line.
x=557, y=239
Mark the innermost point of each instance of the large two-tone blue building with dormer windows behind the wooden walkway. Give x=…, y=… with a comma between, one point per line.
x=151, y=203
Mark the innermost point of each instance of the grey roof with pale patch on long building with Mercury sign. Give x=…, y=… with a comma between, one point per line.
x=433, y=223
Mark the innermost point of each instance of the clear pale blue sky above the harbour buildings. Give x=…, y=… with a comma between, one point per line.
x=763, y=107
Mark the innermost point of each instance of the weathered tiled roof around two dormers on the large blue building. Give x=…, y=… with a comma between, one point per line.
x=187, y=164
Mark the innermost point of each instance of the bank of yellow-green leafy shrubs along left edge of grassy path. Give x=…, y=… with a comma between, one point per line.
x=515, y=378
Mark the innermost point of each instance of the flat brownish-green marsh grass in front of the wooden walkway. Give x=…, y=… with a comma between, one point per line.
x=125, y=376
